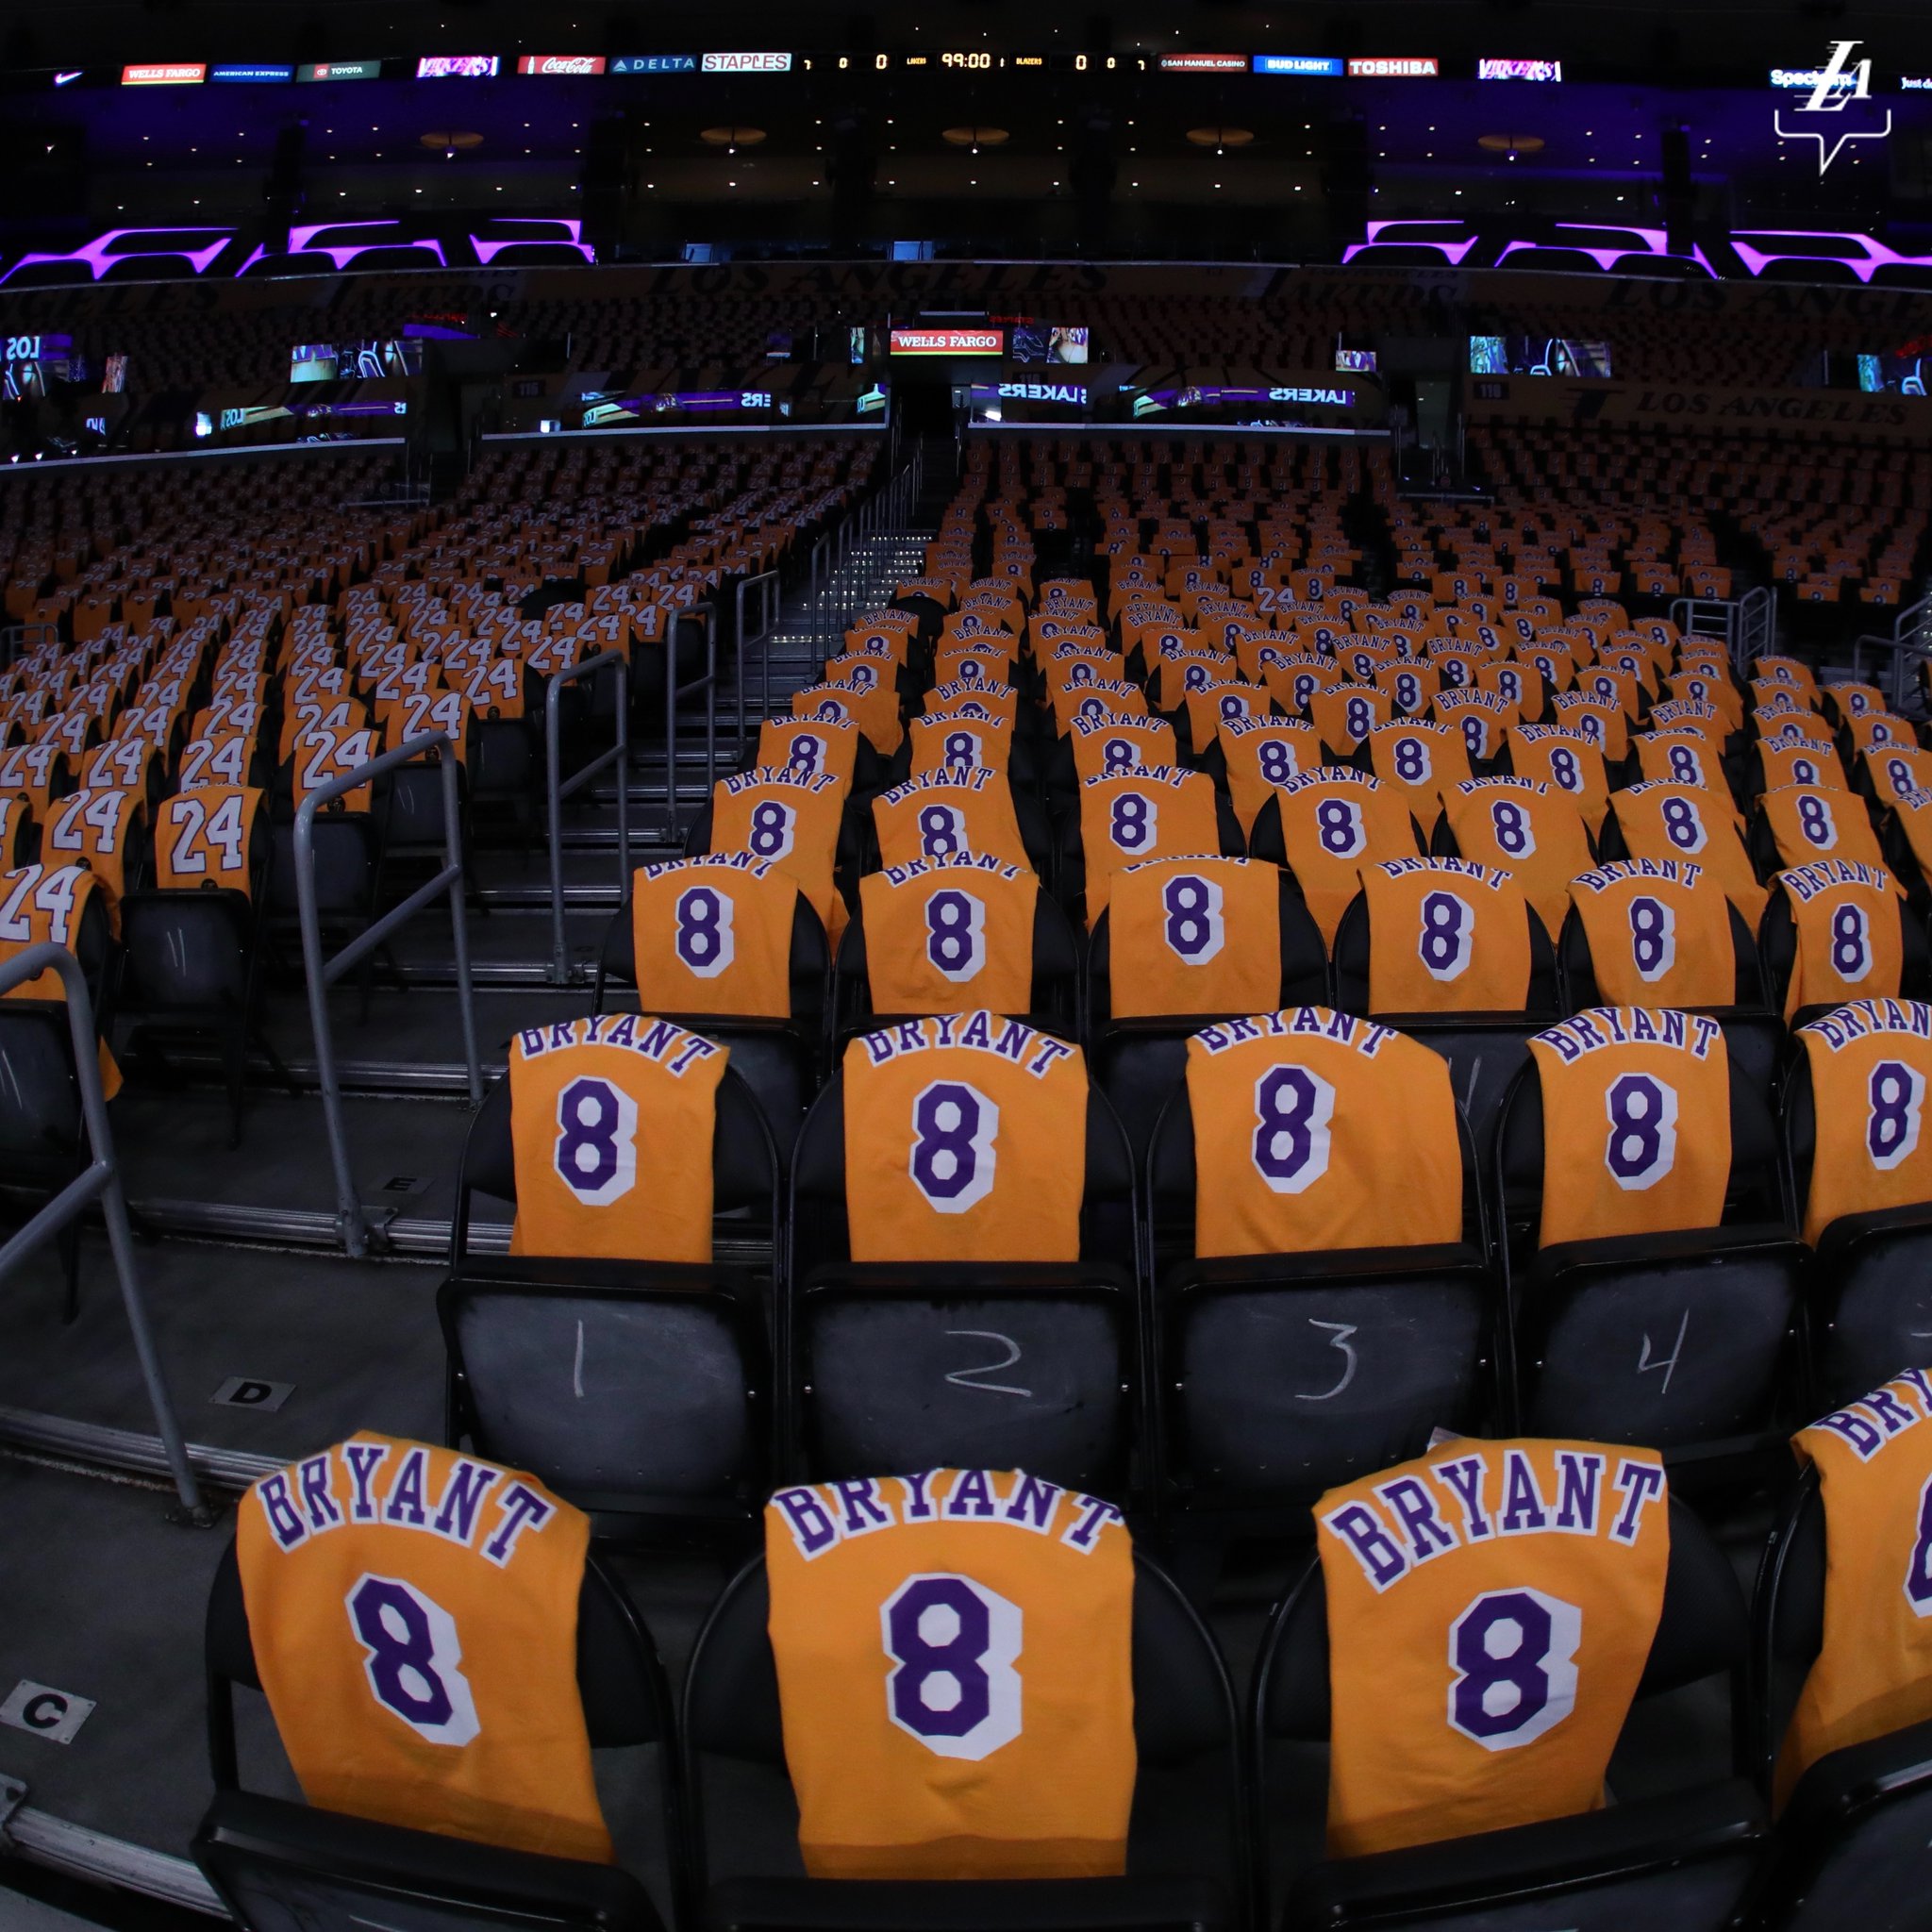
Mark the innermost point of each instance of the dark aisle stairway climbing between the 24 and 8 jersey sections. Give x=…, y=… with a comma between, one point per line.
x=273, y=1342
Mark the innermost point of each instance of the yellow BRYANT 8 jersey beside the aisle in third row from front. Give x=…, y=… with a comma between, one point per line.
x=716, y=936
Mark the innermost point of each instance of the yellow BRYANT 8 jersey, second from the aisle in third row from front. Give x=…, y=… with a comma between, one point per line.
x=942, y=930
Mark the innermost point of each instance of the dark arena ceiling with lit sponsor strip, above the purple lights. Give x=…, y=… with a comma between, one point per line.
x=1220, y=130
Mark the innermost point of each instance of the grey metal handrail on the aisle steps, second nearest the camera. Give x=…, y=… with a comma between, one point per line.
x=322, y=975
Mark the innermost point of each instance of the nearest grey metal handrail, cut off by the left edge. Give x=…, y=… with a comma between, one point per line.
x=99, y=1181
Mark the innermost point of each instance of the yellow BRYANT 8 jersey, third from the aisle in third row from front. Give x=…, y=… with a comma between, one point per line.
x=1195, y=934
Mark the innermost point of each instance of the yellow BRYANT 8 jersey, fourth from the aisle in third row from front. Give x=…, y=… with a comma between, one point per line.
x=1446, y=936
